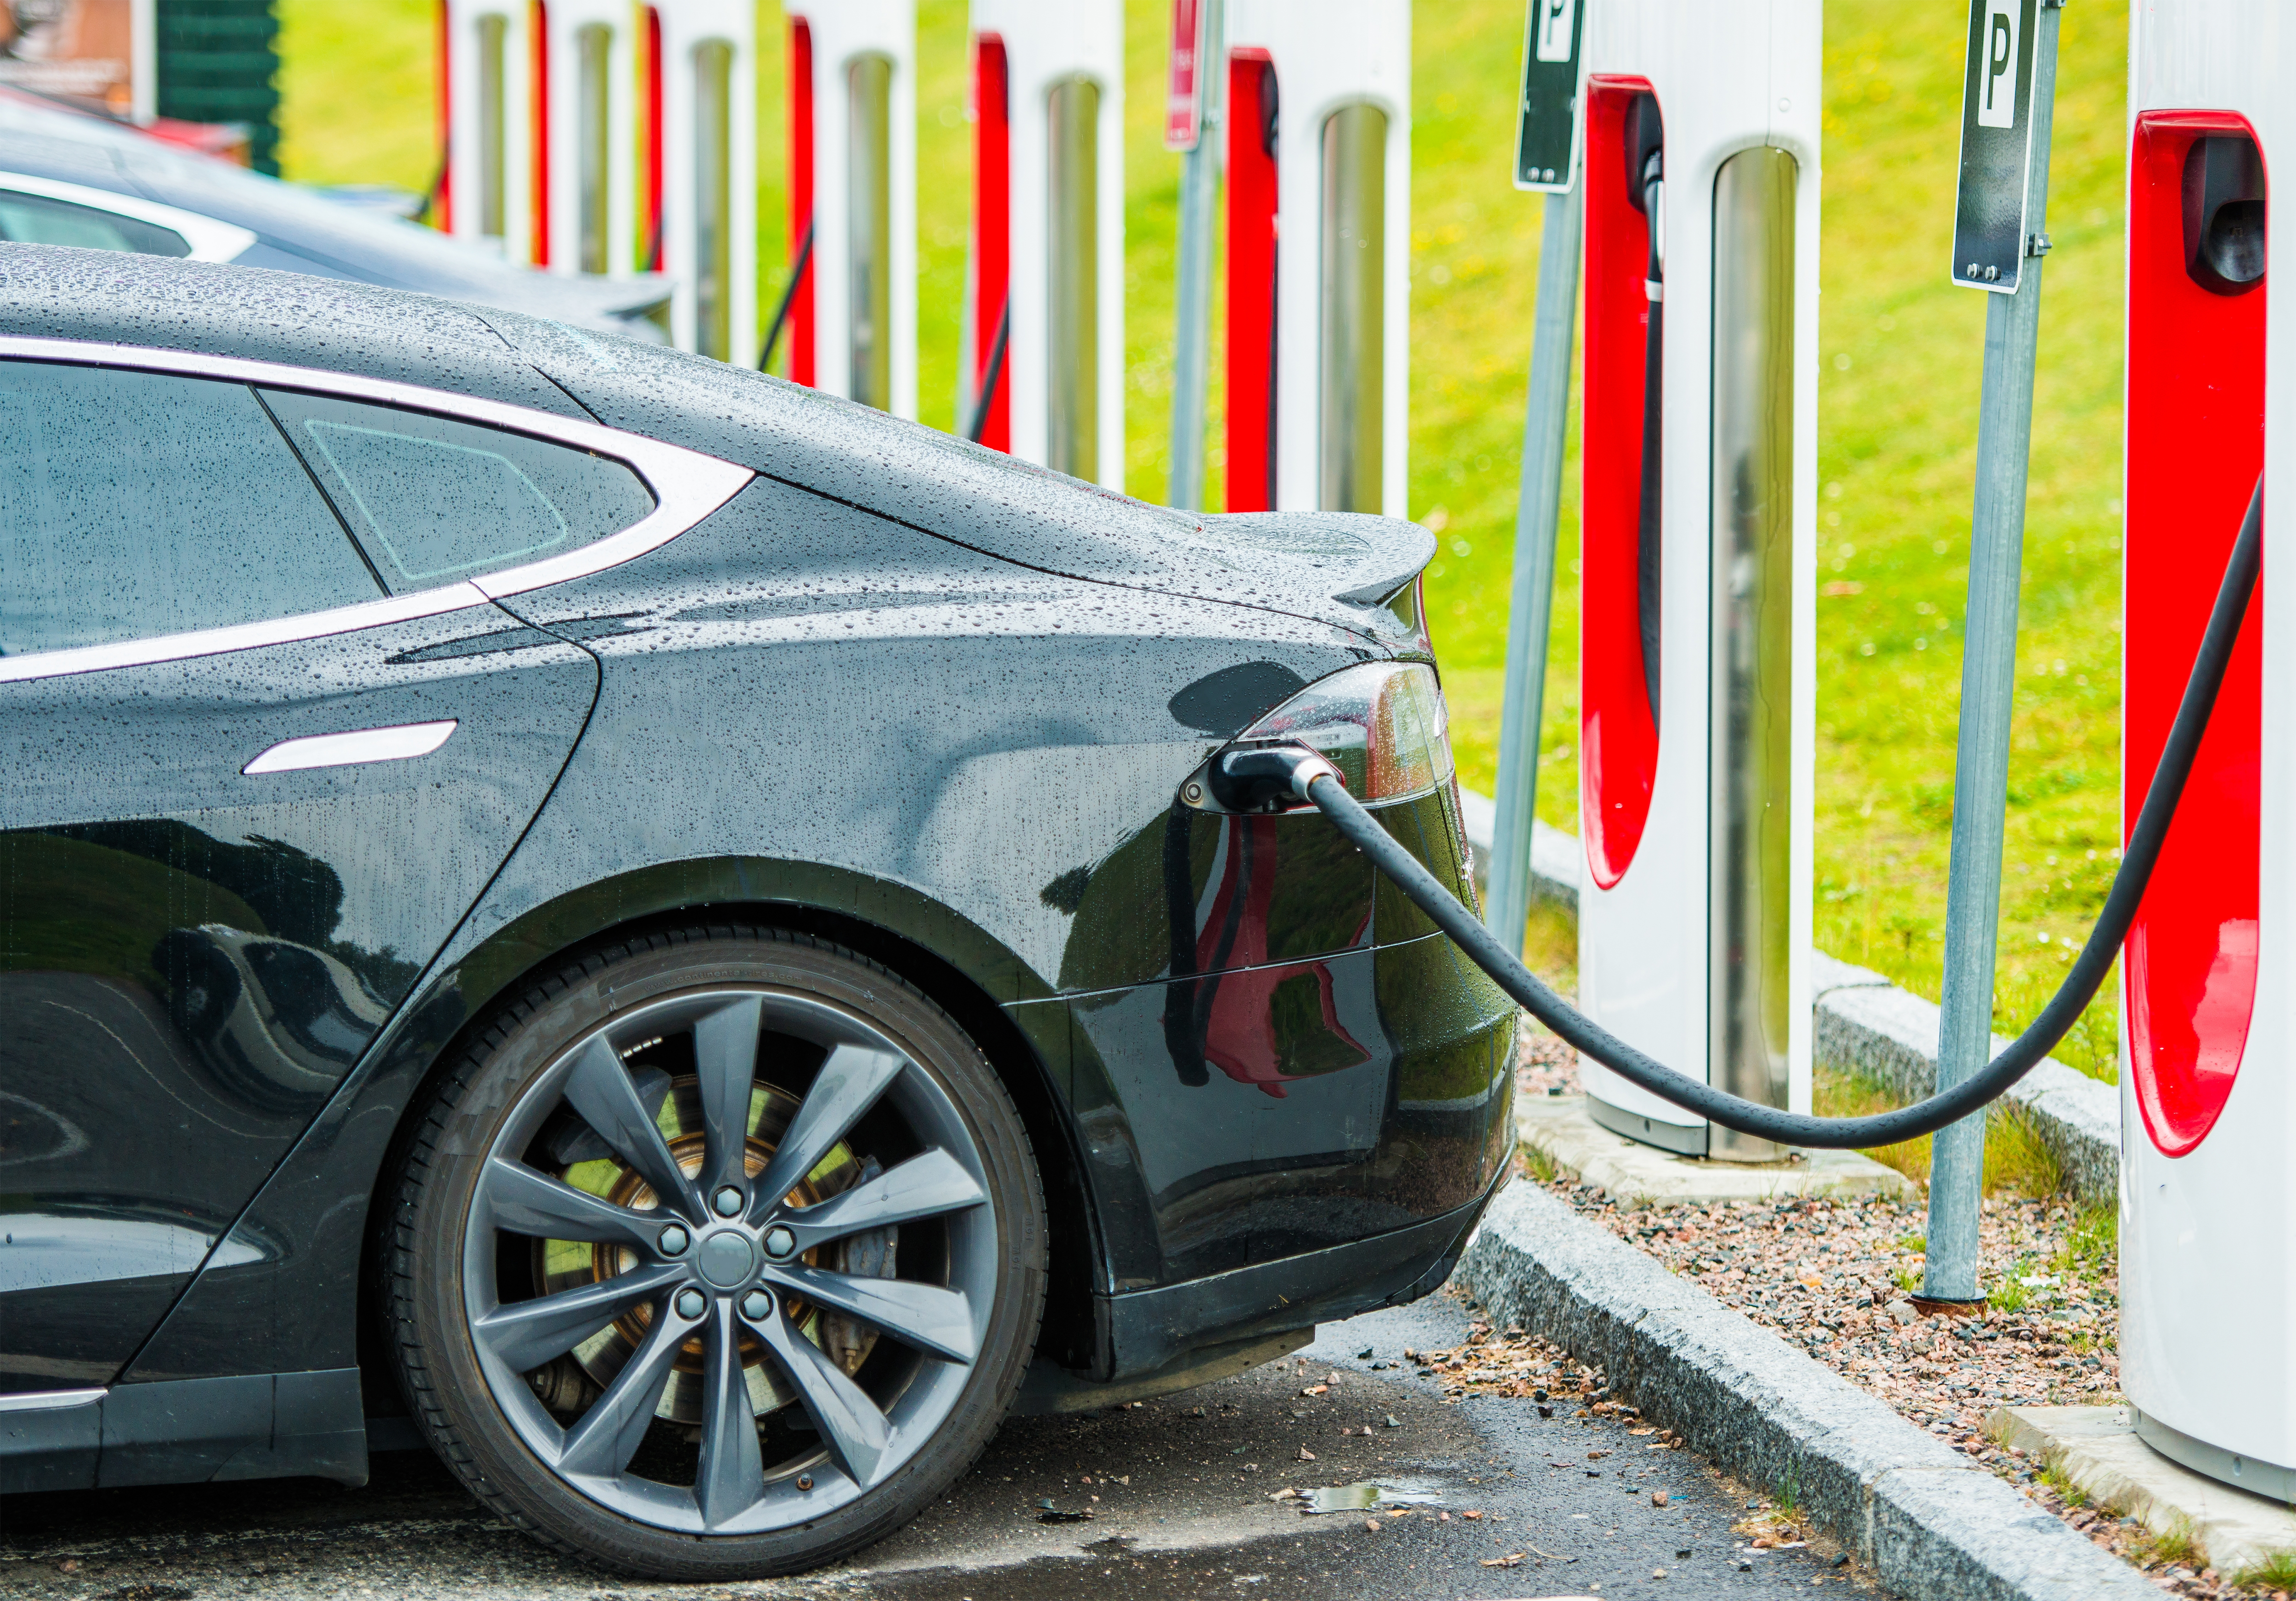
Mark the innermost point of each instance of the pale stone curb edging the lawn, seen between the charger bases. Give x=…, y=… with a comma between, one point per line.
x=1872, y=1028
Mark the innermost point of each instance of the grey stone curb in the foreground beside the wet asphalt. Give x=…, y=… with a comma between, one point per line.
x=1923, y=1517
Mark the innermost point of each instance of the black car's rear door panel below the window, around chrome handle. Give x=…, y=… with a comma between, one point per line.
x=166, y=920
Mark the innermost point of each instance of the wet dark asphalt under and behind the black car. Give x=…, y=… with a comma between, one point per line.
x=1181, y=1506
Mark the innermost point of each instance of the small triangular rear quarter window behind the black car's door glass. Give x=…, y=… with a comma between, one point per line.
x=437, y=502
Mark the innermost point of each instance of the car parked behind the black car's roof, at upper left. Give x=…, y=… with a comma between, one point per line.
x=72, y=178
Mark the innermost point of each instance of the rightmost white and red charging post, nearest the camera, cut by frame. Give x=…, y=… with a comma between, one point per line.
x=2208, y=1097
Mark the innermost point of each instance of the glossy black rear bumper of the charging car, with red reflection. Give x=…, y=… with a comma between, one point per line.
x=1275, y=1113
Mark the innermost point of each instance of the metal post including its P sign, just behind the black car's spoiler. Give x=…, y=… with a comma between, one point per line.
x=1546, y=162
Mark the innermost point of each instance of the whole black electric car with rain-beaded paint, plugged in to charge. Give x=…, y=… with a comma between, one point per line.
x=662, y=934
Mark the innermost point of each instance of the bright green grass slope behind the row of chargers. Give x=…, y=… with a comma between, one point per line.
x=1895, y=440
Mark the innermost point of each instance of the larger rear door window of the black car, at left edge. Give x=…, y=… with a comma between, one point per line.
x=141, y=504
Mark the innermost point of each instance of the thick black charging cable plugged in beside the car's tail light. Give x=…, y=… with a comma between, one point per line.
x=1271, y=773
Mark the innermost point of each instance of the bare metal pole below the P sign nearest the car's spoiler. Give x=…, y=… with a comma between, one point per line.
x=1537, y=506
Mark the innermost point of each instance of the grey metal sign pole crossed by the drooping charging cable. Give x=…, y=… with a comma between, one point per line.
x=1957, y=1154
